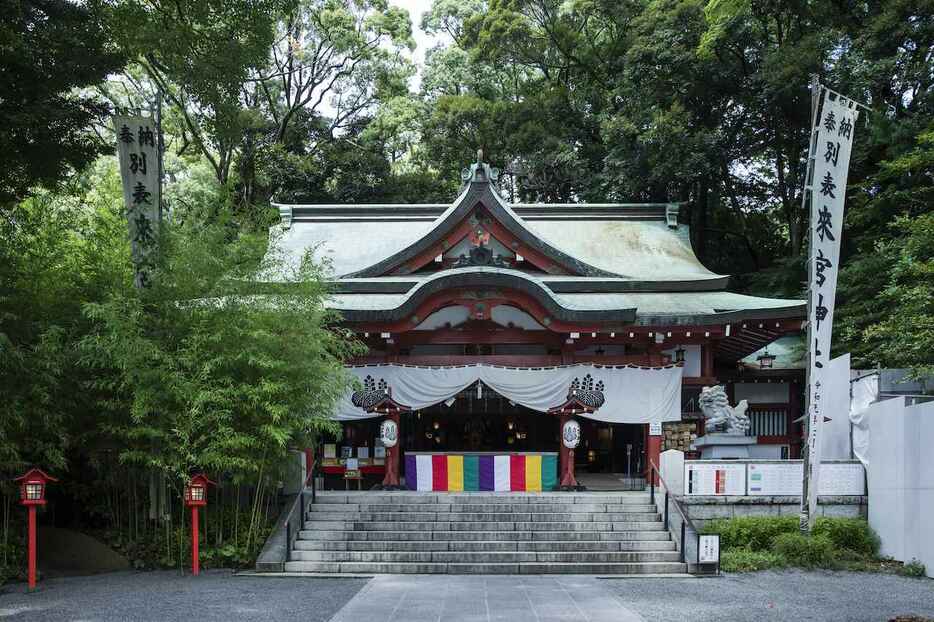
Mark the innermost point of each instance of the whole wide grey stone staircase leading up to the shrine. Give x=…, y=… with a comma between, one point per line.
x=484, y=533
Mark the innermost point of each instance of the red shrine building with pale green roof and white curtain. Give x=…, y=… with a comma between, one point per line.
x=526, y=347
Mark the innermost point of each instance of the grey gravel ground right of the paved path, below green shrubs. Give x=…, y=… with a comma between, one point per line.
x=785, y=596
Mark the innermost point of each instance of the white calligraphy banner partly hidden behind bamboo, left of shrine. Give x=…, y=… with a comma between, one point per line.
x=138, y=151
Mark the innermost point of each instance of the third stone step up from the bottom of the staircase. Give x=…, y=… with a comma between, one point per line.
x=607, y=546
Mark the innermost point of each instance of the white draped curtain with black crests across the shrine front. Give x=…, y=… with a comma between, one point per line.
x=625, y=394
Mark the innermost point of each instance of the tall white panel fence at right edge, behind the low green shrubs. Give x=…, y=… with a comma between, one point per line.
x=901, y=479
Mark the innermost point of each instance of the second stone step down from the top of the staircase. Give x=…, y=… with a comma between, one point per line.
x=329, y=508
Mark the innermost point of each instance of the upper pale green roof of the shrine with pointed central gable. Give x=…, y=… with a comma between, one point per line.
x=636, y=243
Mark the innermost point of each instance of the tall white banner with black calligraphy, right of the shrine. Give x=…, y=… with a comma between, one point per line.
x=831, y=154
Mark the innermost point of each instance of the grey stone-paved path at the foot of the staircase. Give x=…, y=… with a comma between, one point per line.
x=512, y=598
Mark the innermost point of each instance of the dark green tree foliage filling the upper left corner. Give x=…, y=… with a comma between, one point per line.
x=48, y=49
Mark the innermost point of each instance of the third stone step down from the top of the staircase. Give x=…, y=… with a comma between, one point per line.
x=492, y=517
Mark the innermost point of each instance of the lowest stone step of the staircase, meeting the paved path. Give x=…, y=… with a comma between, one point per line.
x=488, y=568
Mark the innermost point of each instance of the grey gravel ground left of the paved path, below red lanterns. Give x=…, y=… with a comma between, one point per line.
x=166, y=596
